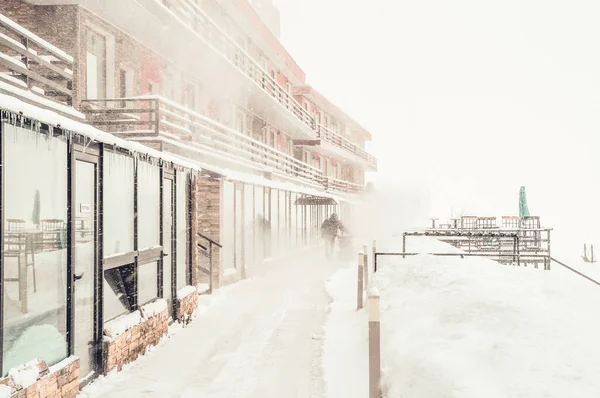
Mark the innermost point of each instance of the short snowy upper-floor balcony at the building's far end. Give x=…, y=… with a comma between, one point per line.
x=335, y=144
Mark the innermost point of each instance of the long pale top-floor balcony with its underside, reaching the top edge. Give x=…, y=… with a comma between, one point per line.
x=179, y=30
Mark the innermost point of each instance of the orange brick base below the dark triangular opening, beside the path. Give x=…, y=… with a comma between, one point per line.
x=132, y=343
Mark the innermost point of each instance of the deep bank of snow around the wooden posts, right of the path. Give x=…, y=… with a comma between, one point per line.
x=471, y=328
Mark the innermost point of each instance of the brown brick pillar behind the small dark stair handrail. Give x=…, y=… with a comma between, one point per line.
x=206, y=219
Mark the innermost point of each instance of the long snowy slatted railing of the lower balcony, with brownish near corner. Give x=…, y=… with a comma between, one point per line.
x=143, y=118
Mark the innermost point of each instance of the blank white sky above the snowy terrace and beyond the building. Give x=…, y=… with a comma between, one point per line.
x=472, y=97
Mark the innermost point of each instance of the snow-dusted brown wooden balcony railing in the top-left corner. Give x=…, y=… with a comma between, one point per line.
x=29, y=62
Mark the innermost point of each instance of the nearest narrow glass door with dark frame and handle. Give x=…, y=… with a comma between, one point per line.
x=85, y=240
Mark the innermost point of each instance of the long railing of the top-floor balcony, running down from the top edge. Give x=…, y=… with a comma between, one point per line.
x=196, y=19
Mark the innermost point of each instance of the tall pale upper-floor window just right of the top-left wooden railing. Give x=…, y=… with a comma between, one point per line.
x=96, y=65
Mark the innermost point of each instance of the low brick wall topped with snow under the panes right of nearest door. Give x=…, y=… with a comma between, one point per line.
x=124, y=346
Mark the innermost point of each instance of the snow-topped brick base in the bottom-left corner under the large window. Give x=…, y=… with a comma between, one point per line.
x=58, y=381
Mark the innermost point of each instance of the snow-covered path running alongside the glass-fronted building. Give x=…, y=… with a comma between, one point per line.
x=258, y=338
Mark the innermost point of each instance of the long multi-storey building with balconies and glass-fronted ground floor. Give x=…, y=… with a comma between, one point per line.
x=182, y=146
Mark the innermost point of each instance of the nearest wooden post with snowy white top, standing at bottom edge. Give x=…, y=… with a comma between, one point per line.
x=374, y=345
